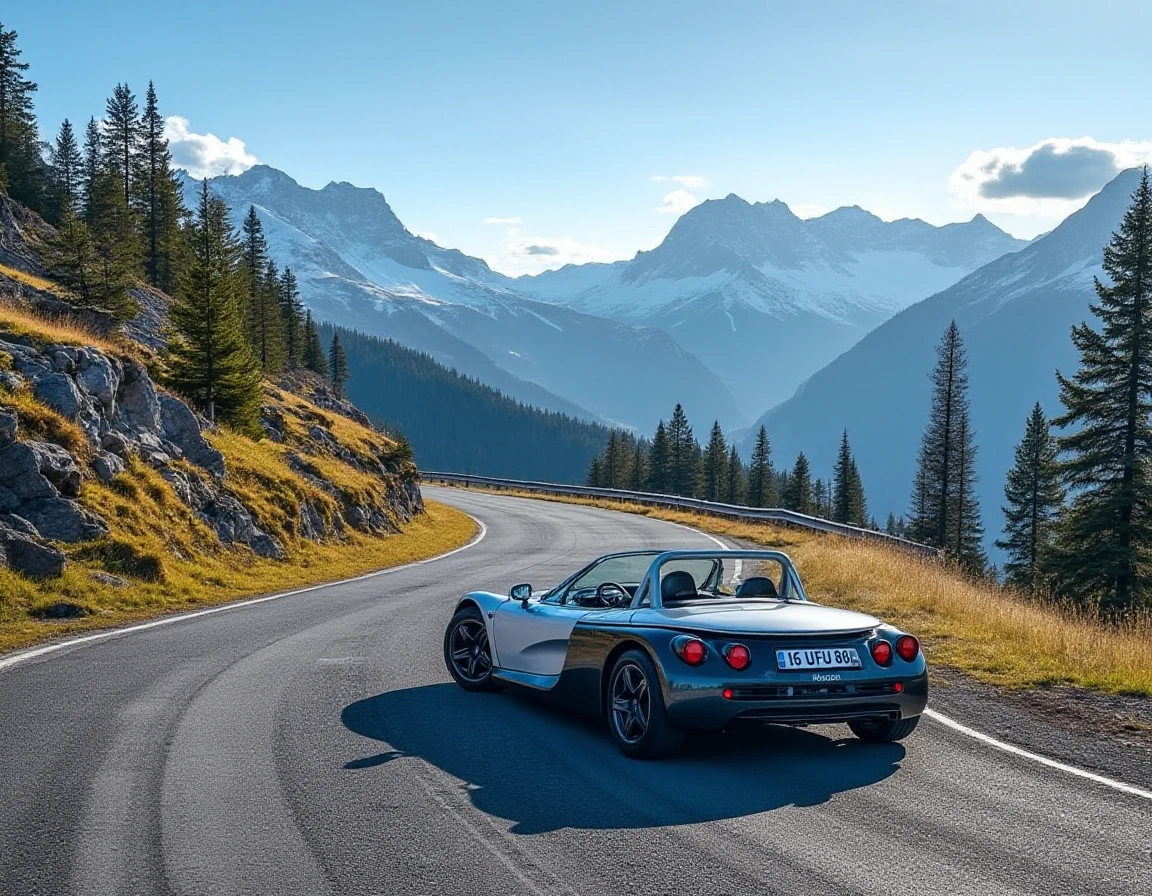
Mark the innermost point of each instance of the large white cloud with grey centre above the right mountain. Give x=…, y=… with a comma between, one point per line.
x=1049, y=179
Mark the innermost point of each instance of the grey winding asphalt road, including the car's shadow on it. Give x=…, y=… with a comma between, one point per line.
x=314, y=746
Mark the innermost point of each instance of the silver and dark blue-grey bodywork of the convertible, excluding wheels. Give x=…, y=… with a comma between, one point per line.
x=565, y=655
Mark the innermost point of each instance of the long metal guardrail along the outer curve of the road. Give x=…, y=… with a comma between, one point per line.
x=736, y=512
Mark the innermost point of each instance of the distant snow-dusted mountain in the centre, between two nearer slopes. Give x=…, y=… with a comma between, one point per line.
x=766, y=299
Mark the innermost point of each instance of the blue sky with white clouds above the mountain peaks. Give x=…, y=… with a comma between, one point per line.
x=552, y=120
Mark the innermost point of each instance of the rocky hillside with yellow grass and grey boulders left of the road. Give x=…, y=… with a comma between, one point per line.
x=323, y=497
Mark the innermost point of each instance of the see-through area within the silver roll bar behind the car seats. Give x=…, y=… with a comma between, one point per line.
x=725, y=578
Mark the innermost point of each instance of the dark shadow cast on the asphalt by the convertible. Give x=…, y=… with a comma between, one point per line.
x=547, y=770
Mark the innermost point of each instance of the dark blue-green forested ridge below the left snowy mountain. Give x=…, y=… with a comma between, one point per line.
x=459, y=424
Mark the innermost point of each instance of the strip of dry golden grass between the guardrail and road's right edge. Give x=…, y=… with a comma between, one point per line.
x=994, y=635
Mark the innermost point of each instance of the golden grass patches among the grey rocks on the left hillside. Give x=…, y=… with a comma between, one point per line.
x=170, y=558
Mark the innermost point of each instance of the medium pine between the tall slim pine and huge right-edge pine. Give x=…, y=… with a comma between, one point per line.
x=1034, y=497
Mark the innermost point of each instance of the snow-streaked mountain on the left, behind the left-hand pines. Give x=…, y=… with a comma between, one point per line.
x=361, y=269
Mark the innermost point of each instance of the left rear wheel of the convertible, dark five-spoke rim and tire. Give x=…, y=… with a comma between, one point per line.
x=636, y=712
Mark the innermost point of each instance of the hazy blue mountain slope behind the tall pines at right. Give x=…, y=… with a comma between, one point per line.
x=1015, y=315
